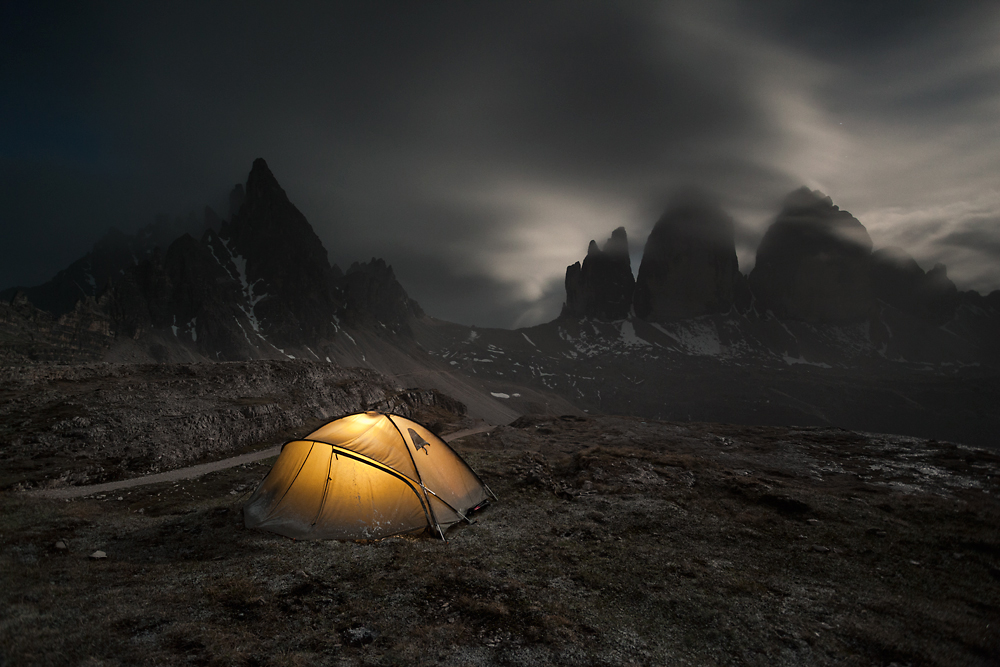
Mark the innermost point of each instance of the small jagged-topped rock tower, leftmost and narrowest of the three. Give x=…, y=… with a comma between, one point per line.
x=602, y=286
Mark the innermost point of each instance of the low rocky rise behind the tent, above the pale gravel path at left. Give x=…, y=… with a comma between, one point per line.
x=92, y=423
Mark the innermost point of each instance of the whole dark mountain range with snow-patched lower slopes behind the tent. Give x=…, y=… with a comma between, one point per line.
x=823, y=330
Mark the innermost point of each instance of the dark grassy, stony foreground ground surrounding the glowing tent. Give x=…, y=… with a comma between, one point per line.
x=615, y=541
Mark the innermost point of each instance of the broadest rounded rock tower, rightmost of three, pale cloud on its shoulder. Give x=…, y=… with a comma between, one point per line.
x=813, y=263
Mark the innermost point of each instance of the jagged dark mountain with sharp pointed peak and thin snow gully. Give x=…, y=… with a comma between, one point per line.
x=245, y=288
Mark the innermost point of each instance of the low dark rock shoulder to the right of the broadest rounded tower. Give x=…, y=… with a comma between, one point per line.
x=898, y=280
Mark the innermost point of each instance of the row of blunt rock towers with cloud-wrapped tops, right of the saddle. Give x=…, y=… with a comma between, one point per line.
x=814, y=264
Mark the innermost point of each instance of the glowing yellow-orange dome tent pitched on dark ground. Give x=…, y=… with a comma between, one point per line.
x=365, y=476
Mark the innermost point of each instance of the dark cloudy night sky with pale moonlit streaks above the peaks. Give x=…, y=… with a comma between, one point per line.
x=479, y=146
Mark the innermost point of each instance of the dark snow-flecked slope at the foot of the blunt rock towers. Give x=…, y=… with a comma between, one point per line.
x=633, y=367
